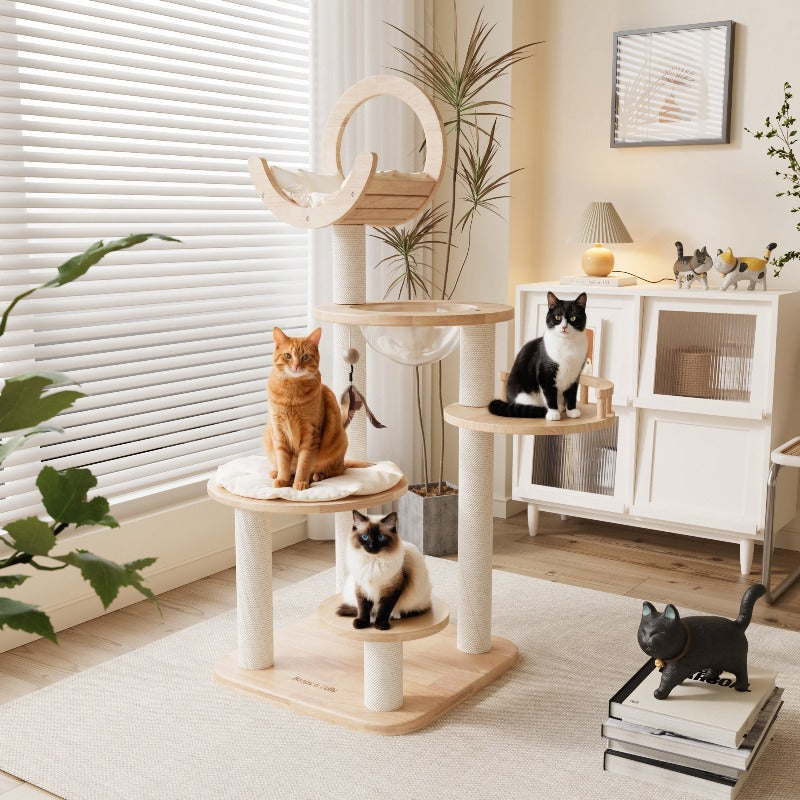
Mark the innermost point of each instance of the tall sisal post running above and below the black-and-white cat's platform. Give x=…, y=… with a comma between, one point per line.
x=475, y=476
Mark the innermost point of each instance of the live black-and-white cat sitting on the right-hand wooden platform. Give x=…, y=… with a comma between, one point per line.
x=544, y=379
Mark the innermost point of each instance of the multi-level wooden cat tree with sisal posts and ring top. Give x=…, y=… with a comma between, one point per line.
x=322, y=665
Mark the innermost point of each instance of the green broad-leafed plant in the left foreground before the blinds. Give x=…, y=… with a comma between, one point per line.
x=26, y=401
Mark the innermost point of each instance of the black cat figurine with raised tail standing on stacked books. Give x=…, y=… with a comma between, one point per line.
x=682, y=647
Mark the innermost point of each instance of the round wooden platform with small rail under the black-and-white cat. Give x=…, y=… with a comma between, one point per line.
x=479, y=419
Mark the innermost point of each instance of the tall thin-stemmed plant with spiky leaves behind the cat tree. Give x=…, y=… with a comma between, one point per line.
x=460, y=85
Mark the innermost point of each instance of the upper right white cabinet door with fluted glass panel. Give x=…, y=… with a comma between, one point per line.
x=707, y=356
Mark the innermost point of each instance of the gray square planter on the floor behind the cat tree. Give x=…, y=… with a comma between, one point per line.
x=431, y=523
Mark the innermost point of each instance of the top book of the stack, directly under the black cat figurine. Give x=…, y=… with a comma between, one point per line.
x=711, y=712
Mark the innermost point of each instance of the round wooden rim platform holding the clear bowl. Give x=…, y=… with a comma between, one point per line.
x=414, y=313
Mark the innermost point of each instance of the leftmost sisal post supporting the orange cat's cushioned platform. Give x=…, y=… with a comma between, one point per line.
x=253, y=590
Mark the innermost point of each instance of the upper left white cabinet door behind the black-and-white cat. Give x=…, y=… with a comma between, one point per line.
x=615, y=334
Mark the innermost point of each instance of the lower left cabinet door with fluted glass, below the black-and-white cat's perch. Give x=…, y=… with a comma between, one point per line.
x=586, y=470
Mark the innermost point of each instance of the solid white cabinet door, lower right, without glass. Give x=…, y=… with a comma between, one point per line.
x=702, y=470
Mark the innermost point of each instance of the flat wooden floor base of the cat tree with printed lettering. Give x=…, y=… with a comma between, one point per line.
x=321, y=673
